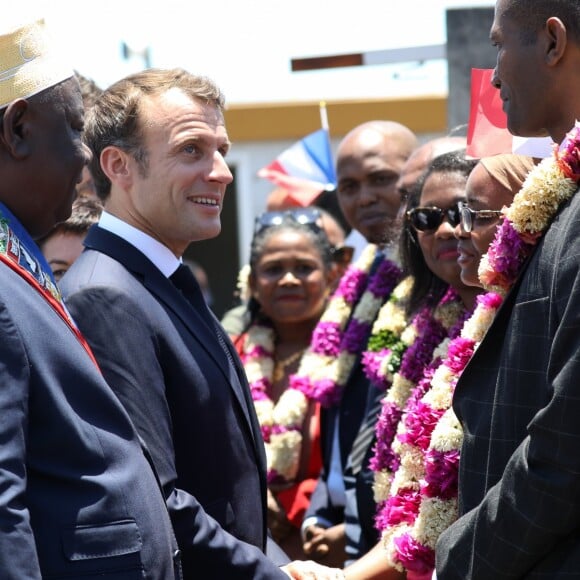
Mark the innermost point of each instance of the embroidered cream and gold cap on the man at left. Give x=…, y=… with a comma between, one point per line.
x=29, y=62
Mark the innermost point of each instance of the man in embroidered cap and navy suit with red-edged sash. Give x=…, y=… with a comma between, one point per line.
x=78, y=498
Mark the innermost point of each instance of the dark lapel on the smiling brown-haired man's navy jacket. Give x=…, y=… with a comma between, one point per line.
x=149, y=275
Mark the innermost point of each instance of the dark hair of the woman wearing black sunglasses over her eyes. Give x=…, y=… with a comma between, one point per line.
x=427, y=289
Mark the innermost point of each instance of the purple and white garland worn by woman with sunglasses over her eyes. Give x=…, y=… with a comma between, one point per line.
x=425, y=332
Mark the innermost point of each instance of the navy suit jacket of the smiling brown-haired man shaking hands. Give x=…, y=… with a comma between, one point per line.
x=189, y=401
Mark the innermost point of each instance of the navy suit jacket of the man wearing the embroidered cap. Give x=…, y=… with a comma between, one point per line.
x=78, y=498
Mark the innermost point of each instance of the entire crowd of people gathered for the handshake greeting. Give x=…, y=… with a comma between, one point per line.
x=411, y=413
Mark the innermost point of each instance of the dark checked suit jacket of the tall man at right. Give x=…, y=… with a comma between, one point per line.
x=519, y=404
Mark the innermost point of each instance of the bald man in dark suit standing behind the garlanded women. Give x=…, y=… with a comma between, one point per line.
x=368, y=165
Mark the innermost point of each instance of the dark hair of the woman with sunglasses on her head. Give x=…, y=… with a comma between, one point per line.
x=311, y=230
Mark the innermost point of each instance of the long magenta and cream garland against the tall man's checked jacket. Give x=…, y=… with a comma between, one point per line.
x=423, y=494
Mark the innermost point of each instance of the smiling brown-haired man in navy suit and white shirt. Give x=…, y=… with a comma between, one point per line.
x=159, y=144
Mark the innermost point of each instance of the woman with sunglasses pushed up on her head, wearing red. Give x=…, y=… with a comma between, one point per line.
x=291, y=274
